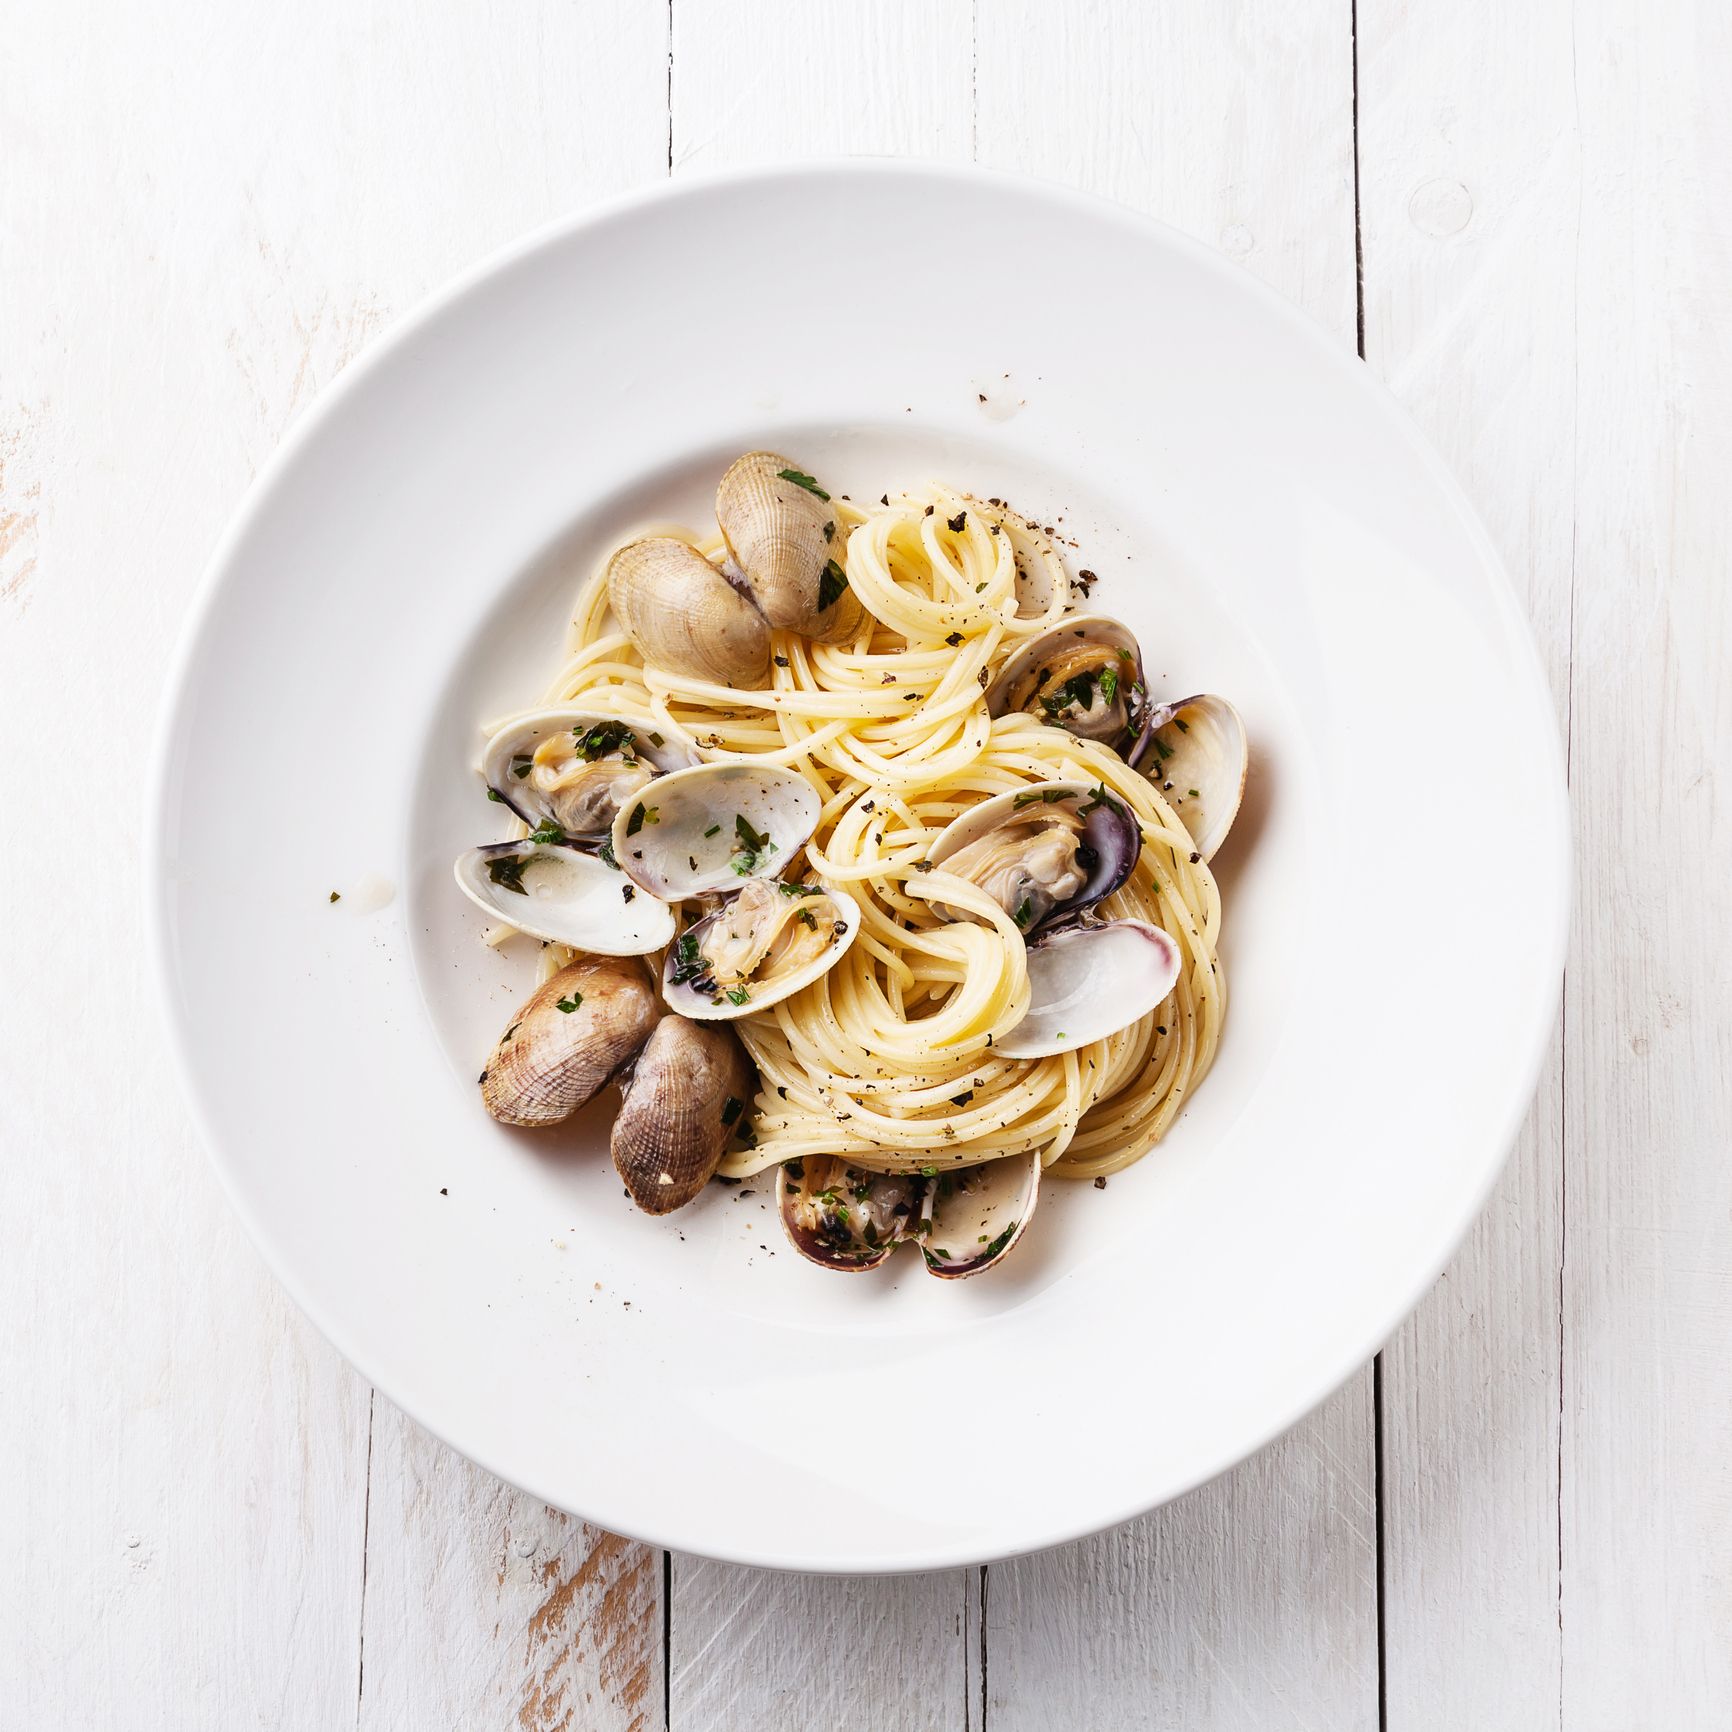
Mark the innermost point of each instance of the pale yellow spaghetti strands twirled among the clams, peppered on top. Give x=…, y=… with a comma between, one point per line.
x=888, y=1059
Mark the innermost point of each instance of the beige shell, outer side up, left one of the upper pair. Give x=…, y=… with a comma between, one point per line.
x=685, y=617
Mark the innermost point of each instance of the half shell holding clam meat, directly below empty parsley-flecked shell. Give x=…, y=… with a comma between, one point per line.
x=763, y=945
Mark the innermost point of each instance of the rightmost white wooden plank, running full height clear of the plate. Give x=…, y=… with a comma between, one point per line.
x=1648, y=1263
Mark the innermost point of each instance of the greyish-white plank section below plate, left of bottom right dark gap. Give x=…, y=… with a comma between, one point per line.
x=1253, y=1603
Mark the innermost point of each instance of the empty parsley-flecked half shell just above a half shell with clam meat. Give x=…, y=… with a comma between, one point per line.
x=702, y=830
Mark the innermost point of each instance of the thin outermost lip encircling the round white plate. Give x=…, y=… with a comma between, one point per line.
x=197, y=623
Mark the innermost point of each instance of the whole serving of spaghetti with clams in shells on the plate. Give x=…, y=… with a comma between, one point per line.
x=858, y=851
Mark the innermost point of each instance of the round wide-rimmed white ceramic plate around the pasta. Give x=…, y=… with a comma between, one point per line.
x=1257, y=508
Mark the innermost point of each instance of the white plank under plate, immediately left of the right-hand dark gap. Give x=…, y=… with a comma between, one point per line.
x=1251, y=1603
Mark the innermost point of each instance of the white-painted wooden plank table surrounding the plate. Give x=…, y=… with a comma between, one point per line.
x=1522, y=1516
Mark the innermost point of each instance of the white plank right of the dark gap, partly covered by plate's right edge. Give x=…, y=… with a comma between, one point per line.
x=1471, y=195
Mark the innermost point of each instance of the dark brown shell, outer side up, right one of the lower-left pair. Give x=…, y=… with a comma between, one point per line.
x=683, y=1099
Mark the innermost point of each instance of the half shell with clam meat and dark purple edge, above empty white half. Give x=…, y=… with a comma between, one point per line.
x=1045, y=853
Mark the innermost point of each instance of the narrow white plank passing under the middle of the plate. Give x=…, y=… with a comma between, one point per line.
x=759, y=81
